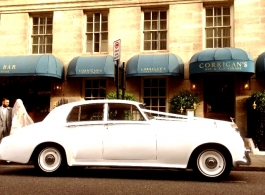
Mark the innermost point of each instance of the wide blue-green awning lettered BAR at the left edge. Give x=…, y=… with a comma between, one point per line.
x=31, y=65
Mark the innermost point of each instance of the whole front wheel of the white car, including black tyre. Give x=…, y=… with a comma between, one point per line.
x=212, y=164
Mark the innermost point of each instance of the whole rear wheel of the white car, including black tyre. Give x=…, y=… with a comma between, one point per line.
x=49, y=160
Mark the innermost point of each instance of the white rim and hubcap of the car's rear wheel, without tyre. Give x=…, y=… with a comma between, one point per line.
x=49, y=159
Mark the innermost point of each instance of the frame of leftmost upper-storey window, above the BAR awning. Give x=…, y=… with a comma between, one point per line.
x=45, y=35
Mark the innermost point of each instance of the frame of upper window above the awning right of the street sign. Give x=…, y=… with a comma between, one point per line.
x=144, y=10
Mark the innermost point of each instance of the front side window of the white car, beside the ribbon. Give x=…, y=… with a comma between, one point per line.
x=124, y=112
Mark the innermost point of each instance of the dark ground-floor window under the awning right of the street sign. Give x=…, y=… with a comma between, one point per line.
x=155, y=94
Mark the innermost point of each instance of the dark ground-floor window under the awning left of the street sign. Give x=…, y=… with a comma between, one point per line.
x=95, y=89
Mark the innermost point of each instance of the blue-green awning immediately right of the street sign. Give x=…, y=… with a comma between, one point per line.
x=155, y=65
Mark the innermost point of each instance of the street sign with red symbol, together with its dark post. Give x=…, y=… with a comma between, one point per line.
x=116, y=58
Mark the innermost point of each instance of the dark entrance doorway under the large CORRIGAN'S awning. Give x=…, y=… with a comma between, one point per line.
x=219, y=97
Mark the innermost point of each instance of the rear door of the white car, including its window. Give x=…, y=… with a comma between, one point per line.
x=86, y=125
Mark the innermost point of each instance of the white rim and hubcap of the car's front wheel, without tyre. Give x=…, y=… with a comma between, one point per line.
x=211, y=163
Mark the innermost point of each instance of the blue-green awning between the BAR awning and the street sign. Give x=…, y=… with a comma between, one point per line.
x=91, y=66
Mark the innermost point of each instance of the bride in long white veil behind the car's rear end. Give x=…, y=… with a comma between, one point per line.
x=20, y=117
